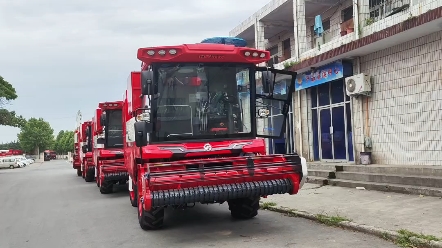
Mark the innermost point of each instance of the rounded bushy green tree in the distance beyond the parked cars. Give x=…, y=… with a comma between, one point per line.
x=36, y=135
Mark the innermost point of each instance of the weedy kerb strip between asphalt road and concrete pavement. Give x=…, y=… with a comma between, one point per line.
x=375, y=231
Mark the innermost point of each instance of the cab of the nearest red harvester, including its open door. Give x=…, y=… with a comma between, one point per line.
x=208, y=96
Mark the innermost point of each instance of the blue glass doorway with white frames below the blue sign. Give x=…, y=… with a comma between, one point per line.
x=331, y=122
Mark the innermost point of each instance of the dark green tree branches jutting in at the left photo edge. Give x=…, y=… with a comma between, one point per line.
x=7, y=94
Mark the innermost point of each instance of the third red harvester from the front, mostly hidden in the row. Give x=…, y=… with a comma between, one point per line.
x=87, y=163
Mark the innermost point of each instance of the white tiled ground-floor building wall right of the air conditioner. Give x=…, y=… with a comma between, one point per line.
x=405, y=111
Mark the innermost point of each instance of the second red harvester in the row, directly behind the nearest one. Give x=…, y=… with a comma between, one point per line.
x=109, y=159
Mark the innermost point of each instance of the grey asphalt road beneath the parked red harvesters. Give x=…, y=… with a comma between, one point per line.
x=47, y=205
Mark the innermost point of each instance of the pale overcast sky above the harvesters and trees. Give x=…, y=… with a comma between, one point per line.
x=65, y=56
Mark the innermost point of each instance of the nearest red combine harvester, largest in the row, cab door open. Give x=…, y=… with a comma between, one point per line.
x=195, y=136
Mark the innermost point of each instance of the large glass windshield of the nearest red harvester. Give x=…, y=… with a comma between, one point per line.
x=201, y=101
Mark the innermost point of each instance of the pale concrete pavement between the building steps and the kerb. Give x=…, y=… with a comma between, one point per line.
x=389, y=211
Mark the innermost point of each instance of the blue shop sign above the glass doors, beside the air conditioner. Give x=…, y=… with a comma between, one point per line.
x=321, y=75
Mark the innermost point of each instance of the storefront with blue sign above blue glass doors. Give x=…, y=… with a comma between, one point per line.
x=329, y=108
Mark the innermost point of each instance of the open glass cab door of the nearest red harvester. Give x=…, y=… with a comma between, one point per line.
x=274, y=89
